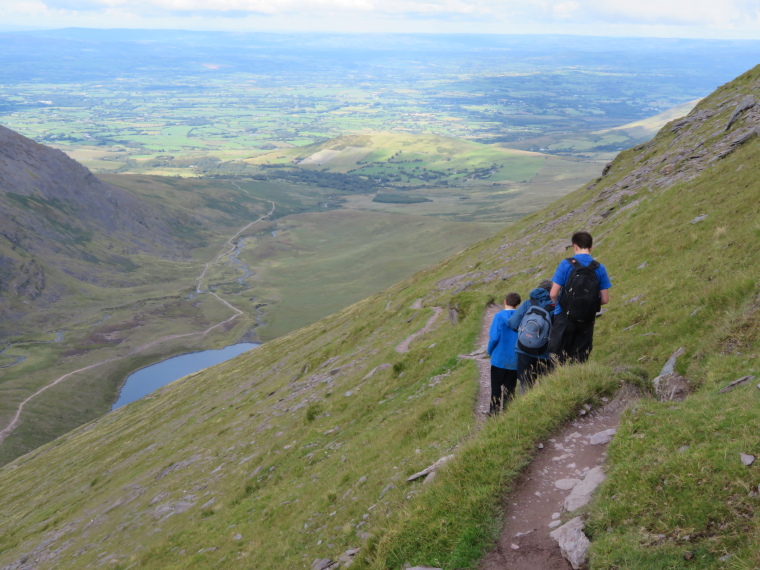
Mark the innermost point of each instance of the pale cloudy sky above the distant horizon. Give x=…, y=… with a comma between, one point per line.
x=730, y=19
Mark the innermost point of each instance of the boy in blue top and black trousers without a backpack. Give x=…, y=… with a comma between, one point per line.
x=501, y=349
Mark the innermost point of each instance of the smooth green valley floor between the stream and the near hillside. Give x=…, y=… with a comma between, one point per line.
x=317, y=263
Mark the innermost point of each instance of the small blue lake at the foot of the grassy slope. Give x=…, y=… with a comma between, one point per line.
x=150, y=378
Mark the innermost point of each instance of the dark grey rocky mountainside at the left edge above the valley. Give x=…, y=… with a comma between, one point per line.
x=55, y=213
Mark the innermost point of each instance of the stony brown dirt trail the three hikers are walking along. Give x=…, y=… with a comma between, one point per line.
x=534, y=508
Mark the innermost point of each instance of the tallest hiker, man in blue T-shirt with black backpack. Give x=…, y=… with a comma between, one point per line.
x=573, y=331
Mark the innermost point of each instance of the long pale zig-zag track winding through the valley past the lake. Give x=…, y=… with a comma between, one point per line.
x=231, y=243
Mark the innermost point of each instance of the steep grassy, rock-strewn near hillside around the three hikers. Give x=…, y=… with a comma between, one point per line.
x=300, y=449
